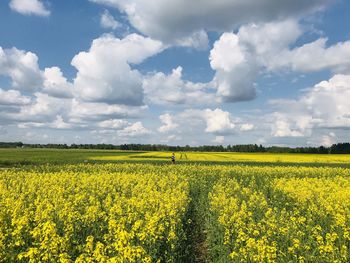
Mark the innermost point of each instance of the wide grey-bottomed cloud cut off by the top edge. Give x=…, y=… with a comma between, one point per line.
x=172, y=21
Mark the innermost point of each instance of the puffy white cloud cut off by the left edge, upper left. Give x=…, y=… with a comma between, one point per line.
x=22, y=67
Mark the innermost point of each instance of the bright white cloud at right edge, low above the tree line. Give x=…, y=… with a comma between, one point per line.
x=324, y=106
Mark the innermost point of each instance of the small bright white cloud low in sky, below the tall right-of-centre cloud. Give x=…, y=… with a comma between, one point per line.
x=218, y=121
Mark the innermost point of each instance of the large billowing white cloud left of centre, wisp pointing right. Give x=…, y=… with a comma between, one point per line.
x=104, y=72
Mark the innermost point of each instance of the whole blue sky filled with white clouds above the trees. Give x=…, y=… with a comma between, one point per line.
x=175, y=72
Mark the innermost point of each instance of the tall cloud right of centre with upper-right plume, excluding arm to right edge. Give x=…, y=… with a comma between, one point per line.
x=238, y=58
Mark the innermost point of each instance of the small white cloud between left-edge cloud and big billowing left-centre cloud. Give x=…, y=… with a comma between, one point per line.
x=55, y=84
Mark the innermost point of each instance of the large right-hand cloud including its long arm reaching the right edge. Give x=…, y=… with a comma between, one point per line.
x=239, y=58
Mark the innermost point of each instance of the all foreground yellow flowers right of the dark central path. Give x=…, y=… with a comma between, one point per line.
x=282, y=214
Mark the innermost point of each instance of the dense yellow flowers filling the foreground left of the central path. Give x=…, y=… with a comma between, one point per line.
x=91, y=214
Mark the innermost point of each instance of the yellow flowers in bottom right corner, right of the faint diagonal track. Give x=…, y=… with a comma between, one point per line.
x=326, y=203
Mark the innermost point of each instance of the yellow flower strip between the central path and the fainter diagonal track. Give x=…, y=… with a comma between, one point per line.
x=243, y=217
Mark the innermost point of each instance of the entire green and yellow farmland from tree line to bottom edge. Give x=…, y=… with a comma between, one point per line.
x=132, y=210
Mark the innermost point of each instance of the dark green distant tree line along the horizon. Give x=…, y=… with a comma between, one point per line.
x=339, y=148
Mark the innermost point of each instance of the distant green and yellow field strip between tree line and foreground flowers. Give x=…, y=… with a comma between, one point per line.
x=28, y=156
